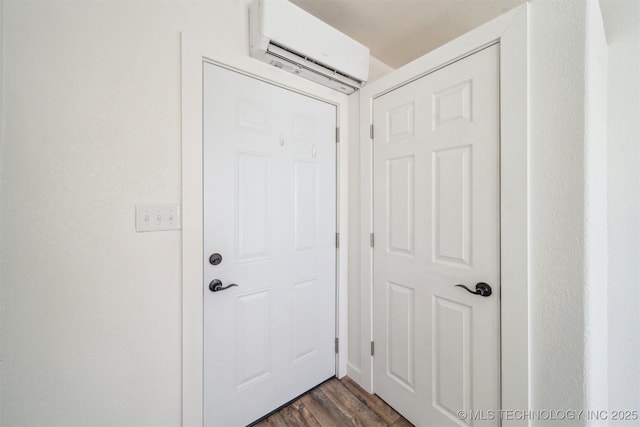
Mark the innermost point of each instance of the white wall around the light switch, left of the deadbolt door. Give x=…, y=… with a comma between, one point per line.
x=91, y=321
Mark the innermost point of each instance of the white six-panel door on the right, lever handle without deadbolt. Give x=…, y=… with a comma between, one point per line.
x=436, y=224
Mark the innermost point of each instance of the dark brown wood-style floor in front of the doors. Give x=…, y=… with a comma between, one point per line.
x=336, y=403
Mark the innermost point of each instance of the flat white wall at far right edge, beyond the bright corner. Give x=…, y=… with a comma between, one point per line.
x=622, y=25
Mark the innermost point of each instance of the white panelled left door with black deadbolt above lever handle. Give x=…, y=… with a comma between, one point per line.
x=270, y=213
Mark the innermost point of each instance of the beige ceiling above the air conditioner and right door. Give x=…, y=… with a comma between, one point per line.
x=399, y=31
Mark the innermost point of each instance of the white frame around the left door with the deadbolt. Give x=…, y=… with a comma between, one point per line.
x=195, y=51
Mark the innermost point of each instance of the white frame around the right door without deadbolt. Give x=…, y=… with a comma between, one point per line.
x=510, y=32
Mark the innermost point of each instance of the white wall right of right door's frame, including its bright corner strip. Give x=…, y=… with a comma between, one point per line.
x=567, y=206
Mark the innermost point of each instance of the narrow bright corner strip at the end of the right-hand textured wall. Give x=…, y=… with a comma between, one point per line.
x=595, y=199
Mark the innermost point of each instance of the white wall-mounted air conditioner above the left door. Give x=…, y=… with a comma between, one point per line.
x=284, y=35
